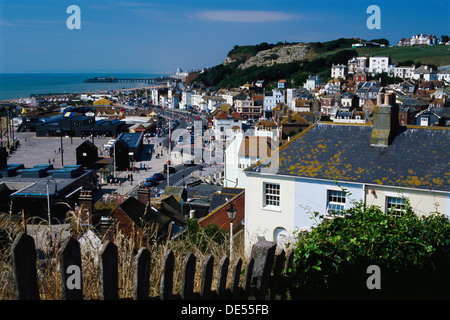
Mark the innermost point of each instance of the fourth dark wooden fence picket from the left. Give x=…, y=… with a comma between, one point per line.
x=142, y=275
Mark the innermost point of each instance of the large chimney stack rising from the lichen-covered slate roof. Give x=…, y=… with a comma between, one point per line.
x=385, y=121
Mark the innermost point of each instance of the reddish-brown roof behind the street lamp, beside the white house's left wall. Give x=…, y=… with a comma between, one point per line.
x=219, y=216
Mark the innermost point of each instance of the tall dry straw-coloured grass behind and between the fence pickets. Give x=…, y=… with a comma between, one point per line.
x=49, y=276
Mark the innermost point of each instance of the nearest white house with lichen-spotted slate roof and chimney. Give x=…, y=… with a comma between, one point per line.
x=329, y=166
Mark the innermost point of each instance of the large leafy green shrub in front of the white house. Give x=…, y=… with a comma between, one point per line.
x=413, y=254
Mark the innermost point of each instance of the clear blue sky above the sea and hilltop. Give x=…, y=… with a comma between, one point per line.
x=160, y=35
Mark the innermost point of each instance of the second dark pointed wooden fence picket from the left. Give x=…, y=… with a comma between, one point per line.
x=69, y=258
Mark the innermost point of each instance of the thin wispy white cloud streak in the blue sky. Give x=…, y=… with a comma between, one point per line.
x=245, y=16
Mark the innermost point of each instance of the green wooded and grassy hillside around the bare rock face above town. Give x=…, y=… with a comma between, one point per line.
x=323, y=56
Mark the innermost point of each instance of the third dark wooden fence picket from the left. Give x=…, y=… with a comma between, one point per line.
x=109, y=275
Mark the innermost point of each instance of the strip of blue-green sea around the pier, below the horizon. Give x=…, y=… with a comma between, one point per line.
x=22, y=85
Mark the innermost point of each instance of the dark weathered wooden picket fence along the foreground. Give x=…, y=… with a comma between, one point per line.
x=265, y=273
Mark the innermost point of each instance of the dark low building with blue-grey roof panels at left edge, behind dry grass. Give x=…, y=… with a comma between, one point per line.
x=31, y=190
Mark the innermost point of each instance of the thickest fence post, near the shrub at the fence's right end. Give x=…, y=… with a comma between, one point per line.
x=263, y=253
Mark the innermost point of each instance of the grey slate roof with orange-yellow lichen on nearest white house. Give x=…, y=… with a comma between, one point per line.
x=418, y=157
